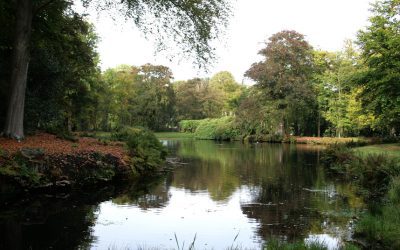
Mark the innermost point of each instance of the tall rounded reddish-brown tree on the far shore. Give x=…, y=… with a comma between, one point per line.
x=284, y=76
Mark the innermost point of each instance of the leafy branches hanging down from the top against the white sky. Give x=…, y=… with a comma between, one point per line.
x=189, y=26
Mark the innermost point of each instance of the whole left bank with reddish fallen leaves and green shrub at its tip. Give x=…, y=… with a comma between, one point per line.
x=48, y=163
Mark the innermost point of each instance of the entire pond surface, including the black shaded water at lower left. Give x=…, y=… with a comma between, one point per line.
x=223, y=195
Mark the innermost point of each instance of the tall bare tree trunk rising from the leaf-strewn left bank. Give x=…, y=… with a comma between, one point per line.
x=14, y=126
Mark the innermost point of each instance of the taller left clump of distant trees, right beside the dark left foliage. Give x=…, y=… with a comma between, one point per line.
x=137, y=96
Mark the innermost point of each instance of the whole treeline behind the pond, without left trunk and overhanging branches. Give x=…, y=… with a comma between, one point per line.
x=297, y=90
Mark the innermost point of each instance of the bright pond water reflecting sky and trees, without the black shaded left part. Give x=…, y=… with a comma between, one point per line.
x=224, y=190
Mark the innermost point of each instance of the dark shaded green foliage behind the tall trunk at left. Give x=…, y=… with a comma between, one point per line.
x=59, y=81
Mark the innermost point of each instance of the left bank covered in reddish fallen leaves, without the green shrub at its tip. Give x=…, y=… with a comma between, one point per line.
x=44, y=162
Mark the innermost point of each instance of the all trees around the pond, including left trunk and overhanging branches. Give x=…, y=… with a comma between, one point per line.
x=297, y=91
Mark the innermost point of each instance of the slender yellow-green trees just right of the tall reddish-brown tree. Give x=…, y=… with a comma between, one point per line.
x=337, y=95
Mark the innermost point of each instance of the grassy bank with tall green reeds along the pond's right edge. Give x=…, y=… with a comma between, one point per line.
x=377, y=175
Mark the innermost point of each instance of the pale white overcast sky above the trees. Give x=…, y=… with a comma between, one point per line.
x=325, y=24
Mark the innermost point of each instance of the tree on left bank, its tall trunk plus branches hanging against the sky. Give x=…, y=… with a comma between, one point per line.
x=191, y=23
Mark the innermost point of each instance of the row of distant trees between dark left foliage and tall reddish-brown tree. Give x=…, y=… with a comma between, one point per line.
x=146, y=96
